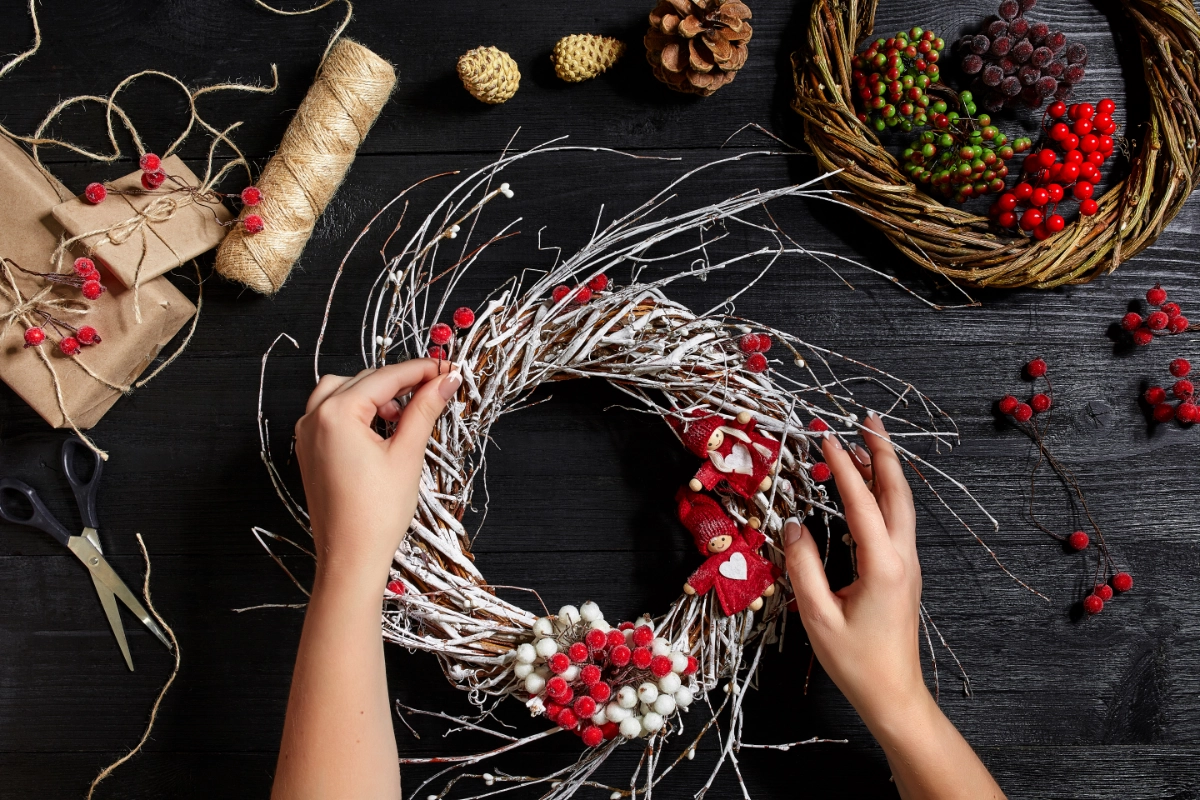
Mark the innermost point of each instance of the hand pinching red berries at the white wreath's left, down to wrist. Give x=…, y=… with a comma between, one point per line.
x=361, y=488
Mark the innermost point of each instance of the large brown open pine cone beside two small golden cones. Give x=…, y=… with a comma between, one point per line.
x=698, y=46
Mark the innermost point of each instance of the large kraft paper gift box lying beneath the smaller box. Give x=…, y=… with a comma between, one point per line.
x=29, y=237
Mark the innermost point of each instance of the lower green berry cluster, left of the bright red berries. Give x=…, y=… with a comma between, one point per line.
x=963, y=157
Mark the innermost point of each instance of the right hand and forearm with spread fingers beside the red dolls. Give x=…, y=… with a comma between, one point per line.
x=866, y=635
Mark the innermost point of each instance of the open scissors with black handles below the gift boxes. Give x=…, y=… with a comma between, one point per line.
x=31, y=512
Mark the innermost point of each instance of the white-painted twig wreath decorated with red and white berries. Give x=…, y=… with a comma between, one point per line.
x=560, y=324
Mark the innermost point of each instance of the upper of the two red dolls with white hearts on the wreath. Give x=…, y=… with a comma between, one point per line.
x=735, y=453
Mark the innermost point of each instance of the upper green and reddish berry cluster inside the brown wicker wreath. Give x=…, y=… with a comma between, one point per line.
x=892, y=77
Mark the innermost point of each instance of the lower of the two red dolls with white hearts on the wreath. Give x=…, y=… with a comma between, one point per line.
x=734, y=567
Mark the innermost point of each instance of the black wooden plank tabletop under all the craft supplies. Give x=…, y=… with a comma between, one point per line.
x=581, y=496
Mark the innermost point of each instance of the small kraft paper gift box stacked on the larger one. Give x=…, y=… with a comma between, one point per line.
x=153, y=231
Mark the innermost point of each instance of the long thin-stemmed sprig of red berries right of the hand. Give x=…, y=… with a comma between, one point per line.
x=1078, y=542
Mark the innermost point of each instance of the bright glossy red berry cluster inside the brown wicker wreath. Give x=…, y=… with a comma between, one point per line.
x=1085, y=143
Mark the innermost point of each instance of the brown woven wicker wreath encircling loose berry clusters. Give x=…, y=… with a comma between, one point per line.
x=963, y=246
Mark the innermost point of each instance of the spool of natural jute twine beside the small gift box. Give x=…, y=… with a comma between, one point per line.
x=317, y=151
